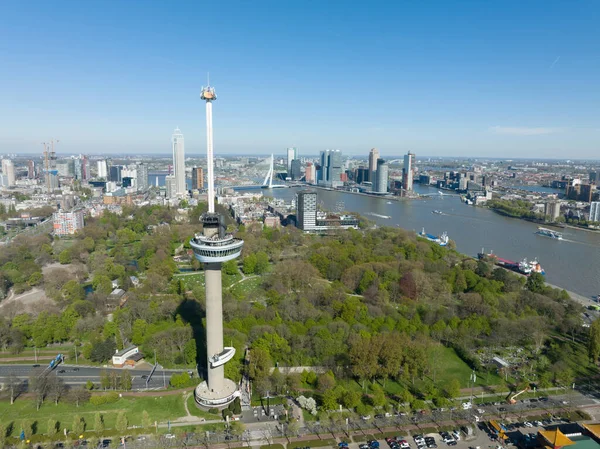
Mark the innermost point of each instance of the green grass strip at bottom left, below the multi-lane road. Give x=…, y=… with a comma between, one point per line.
x=160, y=408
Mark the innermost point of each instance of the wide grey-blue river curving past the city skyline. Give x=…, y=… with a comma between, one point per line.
x=573, y=263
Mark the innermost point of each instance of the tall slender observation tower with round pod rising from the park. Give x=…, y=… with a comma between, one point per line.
x=213, y=247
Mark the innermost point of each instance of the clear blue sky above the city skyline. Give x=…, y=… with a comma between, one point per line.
x=475, y=78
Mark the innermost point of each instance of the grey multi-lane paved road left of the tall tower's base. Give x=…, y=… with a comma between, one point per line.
x=79, y=375
